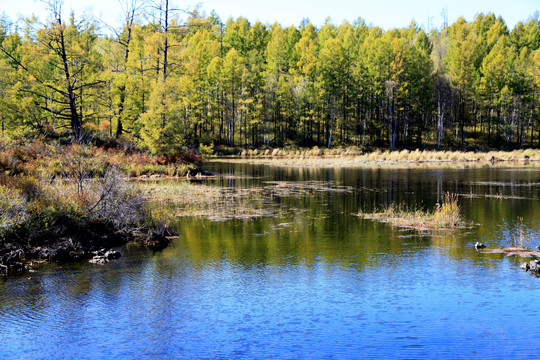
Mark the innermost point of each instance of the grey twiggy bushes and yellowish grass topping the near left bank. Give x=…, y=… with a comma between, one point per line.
x=31, y=210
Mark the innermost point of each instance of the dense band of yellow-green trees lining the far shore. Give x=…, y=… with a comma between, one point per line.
x=168, y=79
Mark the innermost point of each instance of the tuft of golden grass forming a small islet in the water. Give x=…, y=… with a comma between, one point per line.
x=445, y=216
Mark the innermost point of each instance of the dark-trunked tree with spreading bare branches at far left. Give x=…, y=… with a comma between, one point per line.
x=62, y=68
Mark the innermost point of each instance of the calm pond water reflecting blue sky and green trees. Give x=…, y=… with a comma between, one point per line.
x=309, y=280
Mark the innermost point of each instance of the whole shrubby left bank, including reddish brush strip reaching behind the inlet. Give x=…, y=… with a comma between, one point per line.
x=61, y=202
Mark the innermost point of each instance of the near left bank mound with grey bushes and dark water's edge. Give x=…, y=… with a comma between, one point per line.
x=70, y=220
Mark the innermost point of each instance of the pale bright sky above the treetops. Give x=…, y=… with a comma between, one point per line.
x=384, y=13
